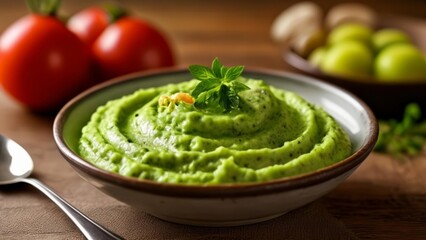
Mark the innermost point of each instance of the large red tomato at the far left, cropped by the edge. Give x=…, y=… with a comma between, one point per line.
x=42, y=63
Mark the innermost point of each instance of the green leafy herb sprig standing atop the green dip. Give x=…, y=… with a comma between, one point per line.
x=218, y=89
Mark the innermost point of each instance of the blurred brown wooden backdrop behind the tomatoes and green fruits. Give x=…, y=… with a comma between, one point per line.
x=244, y=40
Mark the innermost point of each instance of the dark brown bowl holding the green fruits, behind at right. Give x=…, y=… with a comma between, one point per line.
x=386, y=99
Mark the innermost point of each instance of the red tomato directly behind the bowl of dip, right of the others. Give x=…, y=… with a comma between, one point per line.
x=130, y=45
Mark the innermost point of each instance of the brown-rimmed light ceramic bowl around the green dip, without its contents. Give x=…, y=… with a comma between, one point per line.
x=227, y=204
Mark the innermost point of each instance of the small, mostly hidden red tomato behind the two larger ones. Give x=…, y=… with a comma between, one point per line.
x=88, y=24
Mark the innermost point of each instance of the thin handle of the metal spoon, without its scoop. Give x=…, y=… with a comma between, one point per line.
x=88, y=227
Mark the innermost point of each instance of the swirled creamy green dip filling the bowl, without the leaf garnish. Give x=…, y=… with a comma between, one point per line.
x=274, y=134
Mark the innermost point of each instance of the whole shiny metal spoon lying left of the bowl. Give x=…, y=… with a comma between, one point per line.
x=16, y=165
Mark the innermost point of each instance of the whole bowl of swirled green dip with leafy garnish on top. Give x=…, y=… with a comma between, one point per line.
x=215, y=146
